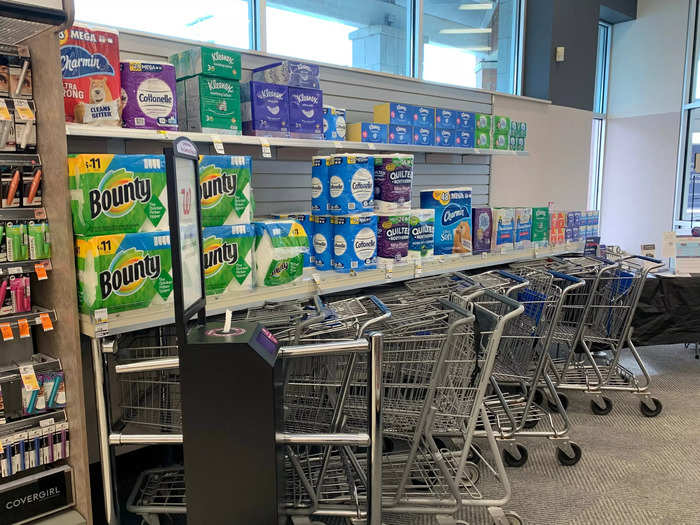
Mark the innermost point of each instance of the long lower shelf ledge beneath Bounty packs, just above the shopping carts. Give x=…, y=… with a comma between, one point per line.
x=311, y=284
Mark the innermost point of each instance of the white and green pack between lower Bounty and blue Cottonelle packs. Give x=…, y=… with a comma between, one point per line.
x=279, y=251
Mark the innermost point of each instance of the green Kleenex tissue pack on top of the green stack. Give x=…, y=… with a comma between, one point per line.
x=220, y=63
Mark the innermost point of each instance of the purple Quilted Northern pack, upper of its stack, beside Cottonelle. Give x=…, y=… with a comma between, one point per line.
x=393, y=179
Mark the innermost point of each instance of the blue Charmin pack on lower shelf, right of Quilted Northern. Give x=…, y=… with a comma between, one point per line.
x=453, y=208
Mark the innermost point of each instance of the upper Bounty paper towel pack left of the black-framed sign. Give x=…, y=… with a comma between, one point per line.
x=117, y=193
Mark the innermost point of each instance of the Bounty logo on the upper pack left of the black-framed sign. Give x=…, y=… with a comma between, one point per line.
x=117, y=194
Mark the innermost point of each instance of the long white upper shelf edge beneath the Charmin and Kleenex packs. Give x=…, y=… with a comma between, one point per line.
x=78, y=130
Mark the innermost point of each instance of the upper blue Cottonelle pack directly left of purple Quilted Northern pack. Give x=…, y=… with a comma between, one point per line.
x=351, y=184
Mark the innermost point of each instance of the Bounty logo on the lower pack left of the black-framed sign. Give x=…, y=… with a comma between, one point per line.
x=128, y=273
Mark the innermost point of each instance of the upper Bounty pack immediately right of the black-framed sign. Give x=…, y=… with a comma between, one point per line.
x=224, y=181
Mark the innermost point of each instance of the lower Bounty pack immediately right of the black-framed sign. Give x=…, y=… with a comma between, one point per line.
x=228, y=258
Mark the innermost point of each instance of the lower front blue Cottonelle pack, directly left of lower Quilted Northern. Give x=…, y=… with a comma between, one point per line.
x=354, y=242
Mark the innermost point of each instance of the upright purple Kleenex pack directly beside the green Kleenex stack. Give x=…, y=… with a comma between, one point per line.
x=265, y=109
